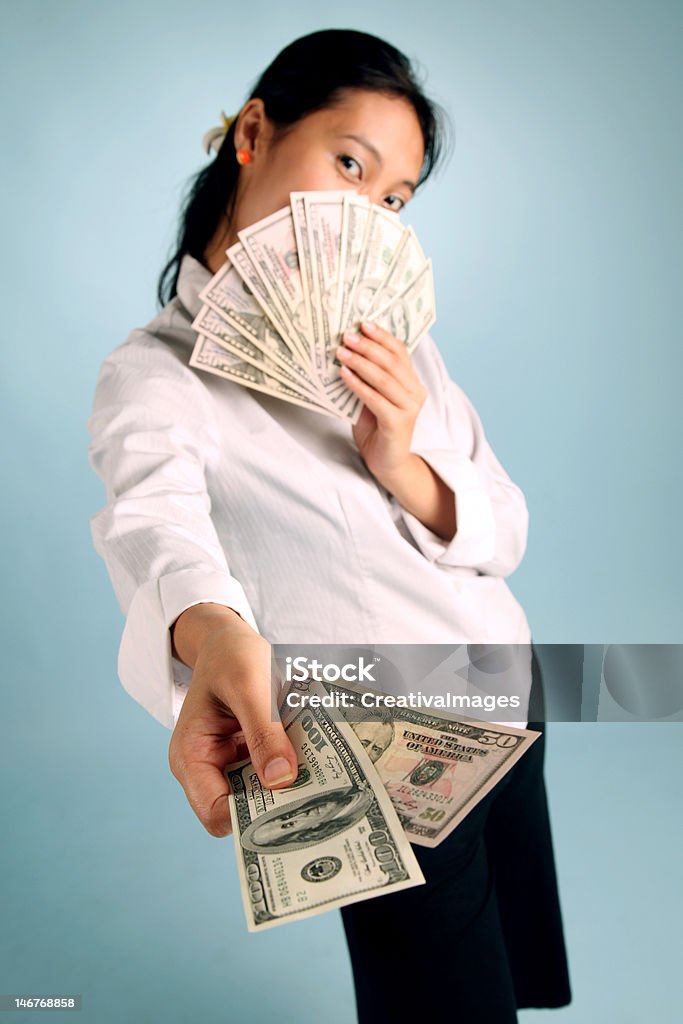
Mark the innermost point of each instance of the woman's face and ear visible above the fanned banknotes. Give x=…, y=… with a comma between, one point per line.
x=369, y=142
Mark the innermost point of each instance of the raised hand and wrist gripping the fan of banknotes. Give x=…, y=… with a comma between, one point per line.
x=377, y=368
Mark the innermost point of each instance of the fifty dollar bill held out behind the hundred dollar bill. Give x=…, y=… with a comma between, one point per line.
x=436, y=767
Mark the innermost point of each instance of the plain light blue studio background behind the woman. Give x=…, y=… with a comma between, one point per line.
x=556, y=234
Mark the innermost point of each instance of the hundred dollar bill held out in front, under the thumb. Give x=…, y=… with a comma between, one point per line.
x=330, y=839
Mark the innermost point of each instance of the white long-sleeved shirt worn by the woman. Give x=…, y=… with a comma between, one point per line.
x=219, y=493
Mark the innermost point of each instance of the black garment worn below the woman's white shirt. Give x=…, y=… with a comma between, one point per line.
x=484, y=937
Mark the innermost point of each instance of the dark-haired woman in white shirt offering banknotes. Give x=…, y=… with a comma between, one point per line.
x=236, y=521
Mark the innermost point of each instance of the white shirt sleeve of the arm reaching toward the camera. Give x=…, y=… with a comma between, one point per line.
x=152, y=439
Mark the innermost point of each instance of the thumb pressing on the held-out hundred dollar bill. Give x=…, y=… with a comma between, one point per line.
x=272, y=752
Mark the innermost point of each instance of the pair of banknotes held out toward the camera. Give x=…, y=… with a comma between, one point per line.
x=367, y=789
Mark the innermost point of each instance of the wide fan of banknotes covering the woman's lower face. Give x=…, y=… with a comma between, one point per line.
x=274, y=315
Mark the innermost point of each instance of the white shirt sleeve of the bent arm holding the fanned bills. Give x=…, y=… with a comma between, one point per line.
x=492, y=515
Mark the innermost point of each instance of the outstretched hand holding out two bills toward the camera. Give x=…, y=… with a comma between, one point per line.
x=228, y=713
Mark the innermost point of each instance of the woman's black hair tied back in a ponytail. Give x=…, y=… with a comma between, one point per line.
x=311, y=74
